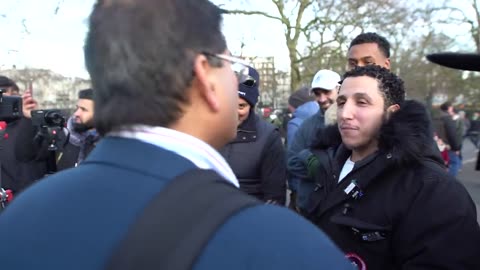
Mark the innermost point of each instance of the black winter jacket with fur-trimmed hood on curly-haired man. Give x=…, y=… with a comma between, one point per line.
x=397, y=208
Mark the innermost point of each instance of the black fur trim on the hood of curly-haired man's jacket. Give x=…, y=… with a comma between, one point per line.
x=407, y=136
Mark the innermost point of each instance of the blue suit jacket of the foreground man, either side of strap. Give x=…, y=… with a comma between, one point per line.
x=75, y=218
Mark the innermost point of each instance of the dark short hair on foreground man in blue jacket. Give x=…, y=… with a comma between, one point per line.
x=140, y=56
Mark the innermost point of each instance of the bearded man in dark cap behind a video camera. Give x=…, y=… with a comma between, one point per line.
x=69, y=148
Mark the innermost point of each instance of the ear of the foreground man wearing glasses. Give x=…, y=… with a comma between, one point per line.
x=204, y=82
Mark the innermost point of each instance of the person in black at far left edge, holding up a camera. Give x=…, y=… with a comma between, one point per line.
x=16, y=175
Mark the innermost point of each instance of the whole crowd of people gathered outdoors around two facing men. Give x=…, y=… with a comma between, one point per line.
x=165, y=163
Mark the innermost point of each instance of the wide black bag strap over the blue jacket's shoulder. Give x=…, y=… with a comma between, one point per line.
x=174, y=228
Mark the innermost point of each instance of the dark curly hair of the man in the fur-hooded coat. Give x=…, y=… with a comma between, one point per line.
x=389, y=84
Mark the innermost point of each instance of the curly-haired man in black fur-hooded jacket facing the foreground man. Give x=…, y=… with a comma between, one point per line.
x=381, y=194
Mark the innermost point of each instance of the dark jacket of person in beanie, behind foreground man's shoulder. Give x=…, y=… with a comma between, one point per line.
x=257, y=158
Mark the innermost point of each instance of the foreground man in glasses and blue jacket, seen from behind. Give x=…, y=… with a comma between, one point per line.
x=166, y=97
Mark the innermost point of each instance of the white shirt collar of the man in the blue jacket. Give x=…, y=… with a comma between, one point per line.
x=197, y=151
